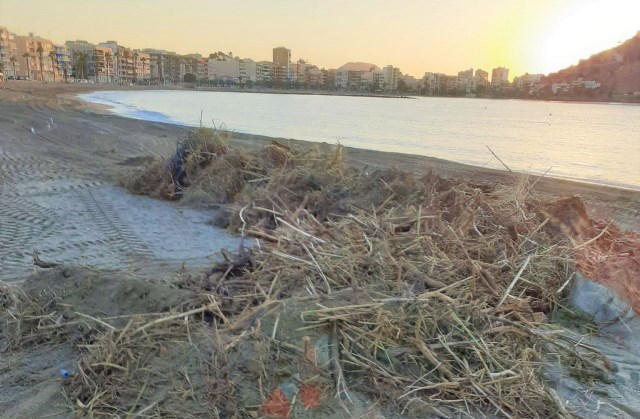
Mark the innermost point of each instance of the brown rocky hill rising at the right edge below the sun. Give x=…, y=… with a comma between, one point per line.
x=617, y=69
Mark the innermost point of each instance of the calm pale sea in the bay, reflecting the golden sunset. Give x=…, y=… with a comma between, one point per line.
x=593, y=142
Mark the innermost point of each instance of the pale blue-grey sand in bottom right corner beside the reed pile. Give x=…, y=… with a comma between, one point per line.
x=618, y=338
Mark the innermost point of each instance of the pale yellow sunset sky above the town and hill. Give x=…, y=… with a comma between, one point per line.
x=416, y=35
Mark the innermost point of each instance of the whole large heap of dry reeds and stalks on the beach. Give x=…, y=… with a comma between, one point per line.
x=434, y=295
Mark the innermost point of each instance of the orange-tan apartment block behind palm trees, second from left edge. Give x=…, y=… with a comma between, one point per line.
x=35, y=50
